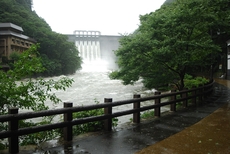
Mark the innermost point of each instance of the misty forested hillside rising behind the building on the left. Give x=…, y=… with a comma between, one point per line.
x=58, y=55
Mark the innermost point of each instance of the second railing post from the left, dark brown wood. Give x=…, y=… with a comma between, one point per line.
x=68, y=117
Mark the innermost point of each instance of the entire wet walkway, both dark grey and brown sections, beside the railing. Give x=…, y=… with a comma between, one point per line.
x=203, y=129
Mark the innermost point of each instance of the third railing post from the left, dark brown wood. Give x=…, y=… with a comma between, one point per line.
x=108, y=111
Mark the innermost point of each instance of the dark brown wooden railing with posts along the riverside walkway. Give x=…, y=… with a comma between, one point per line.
x=196, y=95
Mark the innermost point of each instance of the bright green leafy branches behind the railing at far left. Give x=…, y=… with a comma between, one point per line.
x=18, y=89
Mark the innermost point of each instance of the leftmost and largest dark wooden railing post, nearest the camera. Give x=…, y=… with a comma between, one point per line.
x=13, y=126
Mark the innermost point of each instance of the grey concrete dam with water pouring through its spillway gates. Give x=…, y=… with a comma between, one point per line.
x=94, y=47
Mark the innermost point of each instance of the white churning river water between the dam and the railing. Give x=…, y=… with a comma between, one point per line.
x=93, y=83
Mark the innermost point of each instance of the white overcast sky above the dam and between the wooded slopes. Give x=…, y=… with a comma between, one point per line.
x=110, y=17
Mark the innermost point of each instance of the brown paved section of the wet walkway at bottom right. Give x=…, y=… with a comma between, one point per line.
x=208, y=136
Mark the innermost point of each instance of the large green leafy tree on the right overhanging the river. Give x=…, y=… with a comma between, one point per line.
x=184, y=36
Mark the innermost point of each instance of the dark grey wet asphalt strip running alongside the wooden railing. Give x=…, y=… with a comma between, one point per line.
x=134, y=138
